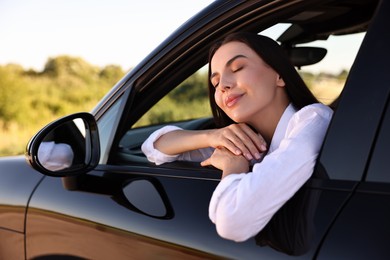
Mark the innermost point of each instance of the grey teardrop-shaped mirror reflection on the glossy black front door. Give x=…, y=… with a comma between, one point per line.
x=145, y=197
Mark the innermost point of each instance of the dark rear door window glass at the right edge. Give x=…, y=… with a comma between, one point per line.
x=379, y=170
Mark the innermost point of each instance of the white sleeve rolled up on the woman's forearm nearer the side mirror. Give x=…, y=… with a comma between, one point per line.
x=157, y=157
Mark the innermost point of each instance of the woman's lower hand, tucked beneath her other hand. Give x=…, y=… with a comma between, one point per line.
x=228, y=162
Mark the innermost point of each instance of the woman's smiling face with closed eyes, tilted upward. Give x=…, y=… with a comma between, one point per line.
x=246, y=88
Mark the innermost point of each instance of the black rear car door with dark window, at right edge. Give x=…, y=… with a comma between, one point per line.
x=362, y=228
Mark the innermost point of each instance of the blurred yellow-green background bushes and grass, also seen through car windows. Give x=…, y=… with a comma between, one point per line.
x=30, y=99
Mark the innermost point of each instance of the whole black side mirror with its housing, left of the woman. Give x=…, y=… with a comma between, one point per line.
x=68, y=146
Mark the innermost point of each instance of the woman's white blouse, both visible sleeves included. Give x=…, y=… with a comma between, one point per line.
x=243, y=203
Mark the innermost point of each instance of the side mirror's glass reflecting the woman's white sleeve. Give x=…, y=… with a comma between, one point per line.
x=65, y=147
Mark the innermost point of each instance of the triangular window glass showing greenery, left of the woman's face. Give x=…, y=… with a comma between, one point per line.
x=187, y=101
